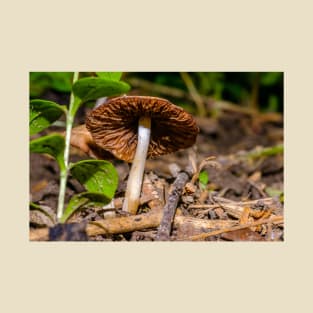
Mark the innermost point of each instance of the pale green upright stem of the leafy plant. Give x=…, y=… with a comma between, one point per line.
x=64, y=170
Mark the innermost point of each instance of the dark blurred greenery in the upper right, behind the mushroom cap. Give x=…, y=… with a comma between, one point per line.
x=262, y=90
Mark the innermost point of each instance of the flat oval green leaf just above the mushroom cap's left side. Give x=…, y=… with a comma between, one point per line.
x=91, y=88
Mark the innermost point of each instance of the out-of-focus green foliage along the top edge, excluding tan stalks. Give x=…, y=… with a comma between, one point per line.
x=263, y=89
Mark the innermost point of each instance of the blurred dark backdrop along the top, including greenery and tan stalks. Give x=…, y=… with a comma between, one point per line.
x=262, y=91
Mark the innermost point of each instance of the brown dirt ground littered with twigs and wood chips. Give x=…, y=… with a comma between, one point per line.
x=242, y=200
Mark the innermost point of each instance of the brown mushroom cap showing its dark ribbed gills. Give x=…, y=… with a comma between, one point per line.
x=114, y=126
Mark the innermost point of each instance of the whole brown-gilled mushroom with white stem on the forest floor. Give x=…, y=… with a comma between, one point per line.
x=133, y=128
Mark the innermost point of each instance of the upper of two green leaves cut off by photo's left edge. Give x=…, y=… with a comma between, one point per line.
x=42, y=114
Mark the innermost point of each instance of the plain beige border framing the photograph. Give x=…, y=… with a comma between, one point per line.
x=164, y=35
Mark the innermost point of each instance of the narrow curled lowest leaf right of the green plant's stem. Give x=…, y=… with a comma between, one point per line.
x=84, y=199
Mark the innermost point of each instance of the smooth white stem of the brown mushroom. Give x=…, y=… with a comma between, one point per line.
x=134, y=182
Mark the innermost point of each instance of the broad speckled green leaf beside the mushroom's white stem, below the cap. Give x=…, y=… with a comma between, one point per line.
x=96, y=175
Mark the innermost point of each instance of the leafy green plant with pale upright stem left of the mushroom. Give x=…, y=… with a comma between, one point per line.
x=99, y=177
